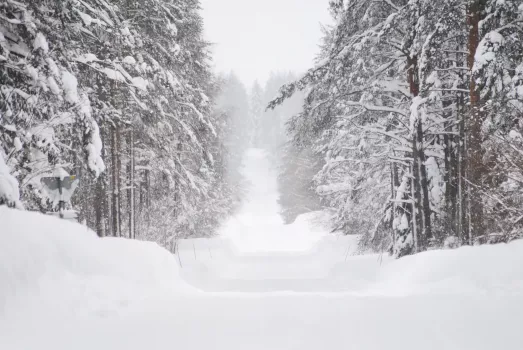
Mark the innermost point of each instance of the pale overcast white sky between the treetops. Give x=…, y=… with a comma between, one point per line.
x=255, y=37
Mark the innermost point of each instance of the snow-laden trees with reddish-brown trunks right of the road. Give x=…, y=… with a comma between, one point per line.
x=415, y=107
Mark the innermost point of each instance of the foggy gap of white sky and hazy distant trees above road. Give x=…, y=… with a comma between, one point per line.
x=257, y=49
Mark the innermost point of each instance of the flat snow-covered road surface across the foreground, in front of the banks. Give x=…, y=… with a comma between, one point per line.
x=290, y=321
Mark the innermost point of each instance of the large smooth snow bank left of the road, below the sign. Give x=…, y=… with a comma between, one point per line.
x=67, y=266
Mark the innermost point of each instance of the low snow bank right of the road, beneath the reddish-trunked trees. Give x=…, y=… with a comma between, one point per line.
x=481, y=270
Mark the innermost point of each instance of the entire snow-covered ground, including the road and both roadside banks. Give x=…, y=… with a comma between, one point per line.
x=260, y=285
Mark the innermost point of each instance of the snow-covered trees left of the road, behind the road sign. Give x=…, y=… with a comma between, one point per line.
x=119, y=93
